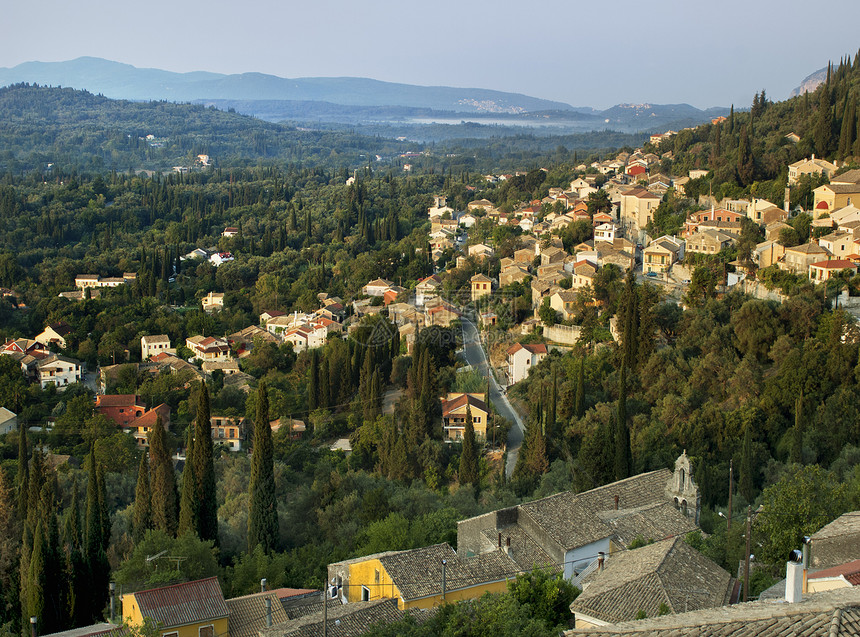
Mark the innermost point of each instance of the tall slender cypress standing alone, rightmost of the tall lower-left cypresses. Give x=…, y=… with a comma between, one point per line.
x=263, y=514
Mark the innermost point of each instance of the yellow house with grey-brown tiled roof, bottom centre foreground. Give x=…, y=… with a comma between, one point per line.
x=421, y=578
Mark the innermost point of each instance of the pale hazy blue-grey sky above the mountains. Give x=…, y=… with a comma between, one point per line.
x=583, y=53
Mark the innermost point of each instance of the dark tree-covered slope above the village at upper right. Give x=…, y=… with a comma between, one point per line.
x=749, y=153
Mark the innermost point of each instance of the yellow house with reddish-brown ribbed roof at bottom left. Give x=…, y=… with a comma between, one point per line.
x=192, y=609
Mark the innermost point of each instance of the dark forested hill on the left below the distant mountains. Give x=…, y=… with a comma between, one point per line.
x=42, y=125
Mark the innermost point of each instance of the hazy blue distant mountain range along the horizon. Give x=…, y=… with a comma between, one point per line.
x=350, y=100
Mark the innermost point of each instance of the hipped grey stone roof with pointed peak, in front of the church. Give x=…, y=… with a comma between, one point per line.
x=669, y=572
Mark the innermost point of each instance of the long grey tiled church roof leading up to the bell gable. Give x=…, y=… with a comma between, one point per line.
x=570, y=518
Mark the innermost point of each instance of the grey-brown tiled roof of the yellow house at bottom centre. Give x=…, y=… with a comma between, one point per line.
x=418, y=573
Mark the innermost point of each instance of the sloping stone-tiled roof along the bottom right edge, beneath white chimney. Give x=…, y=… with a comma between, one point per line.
x=828, y=614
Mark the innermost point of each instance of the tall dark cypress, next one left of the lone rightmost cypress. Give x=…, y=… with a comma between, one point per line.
x=204, y=471
